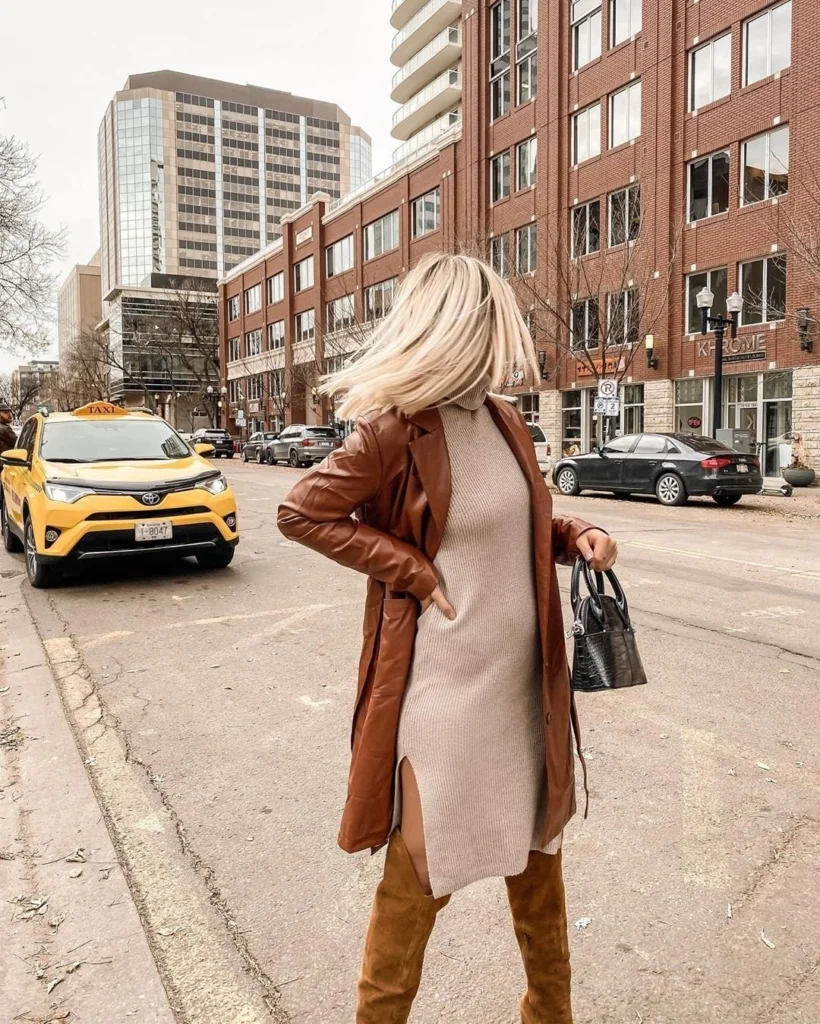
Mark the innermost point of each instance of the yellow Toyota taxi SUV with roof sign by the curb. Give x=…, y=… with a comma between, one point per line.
x=103, y=483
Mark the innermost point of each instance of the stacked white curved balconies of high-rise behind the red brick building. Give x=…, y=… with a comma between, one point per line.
x=427, y=51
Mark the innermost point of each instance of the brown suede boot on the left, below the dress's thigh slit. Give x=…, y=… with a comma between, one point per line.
x=402, y=922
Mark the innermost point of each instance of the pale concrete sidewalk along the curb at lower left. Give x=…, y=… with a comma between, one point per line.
x=74, y=946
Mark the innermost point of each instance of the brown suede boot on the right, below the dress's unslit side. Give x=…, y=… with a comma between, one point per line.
x=537, y=900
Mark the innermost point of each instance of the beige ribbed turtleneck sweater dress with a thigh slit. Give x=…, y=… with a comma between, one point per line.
x=471, y=721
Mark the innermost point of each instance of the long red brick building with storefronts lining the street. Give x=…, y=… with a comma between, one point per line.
x=665, y=146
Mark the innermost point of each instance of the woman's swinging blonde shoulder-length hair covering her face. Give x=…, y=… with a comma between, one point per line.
x=455, y=325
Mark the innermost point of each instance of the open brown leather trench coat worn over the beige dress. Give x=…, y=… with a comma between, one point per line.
x=395, y=475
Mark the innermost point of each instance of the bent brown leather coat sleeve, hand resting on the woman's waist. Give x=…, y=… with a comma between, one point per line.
x=319, y=514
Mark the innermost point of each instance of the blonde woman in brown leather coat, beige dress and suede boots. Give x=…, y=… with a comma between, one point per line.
x=462, y=757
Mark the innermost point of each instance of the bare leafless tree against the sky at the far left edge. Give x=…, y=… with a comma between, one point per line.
x=28, y=251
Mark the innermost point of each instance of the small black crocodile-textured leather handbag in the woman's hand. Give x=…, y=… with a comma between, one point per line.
x=607, y=655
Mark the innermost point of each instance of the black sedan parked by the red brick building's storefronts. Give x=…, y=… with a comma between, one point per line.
x=673, y=467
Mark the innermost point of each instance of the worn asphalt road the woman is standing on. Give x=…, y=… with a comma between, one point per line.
x=700, y=864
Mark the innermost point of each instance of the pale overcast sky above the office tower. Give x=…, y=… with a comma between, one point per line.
x=62, y=64
